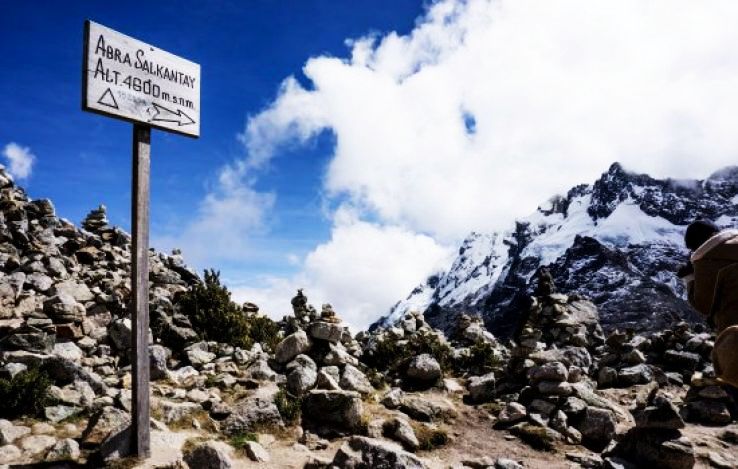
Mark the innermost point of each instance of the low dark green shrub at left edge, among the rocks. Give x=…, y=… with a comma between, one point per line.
x=25, y=394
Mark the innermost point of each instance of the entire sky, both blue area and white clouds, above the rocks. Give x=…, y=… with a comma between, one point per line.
x=348, y=147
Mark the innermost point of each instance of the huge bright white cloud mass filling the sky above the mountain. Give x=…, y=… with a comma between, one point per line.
x=487, y=108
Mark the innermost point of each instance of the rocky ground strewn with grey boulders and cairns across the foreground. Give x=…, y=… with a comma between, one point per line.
x=561, y=393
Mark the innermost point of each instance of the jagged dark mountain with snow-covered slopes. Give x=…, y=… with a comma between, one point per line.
x=618, y=241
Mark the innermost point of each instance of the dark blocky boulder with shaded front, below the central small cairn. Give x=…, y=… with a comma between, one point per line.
x=342, y=409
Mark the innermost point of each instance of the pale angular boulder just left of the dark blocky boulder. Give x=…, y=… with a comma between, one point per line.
x=255, y=411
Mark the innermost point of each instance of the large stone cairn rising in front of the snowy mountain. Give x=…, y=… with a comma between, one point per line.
x=546, y=386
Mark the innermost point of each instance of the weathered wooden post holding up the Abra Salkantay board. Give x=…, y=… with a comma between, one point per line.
x=140, y=437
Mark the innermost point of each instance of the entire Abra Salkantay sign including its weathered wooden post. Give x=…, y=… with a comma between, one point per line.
x=128, y=79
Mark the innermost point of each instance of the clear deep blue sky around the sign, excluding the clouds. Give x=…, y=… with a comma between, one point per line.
x=245, y=49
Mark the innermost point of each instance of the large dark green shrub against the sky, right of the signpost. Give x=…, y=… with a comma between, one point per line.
x=215, y=317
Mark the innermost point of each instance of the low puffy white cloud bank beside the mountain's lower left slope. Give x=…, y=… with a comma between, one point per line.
x=361, y=270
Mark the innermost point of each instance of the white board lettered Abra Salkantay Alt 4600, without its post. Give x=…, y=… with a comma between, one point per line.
x=131, y=80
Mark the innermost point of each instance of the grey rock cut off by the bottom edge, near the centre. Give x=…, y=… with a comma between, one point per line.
x=364, y=453
